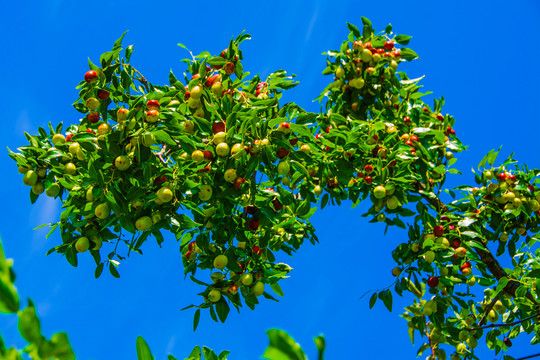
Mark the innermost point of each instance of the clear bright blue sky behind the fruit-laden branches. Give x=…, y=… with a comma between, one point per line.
x=481, y=55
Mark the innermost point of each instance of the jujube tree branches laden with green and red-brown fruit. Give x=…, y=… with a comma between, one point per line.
x=235, y=175
